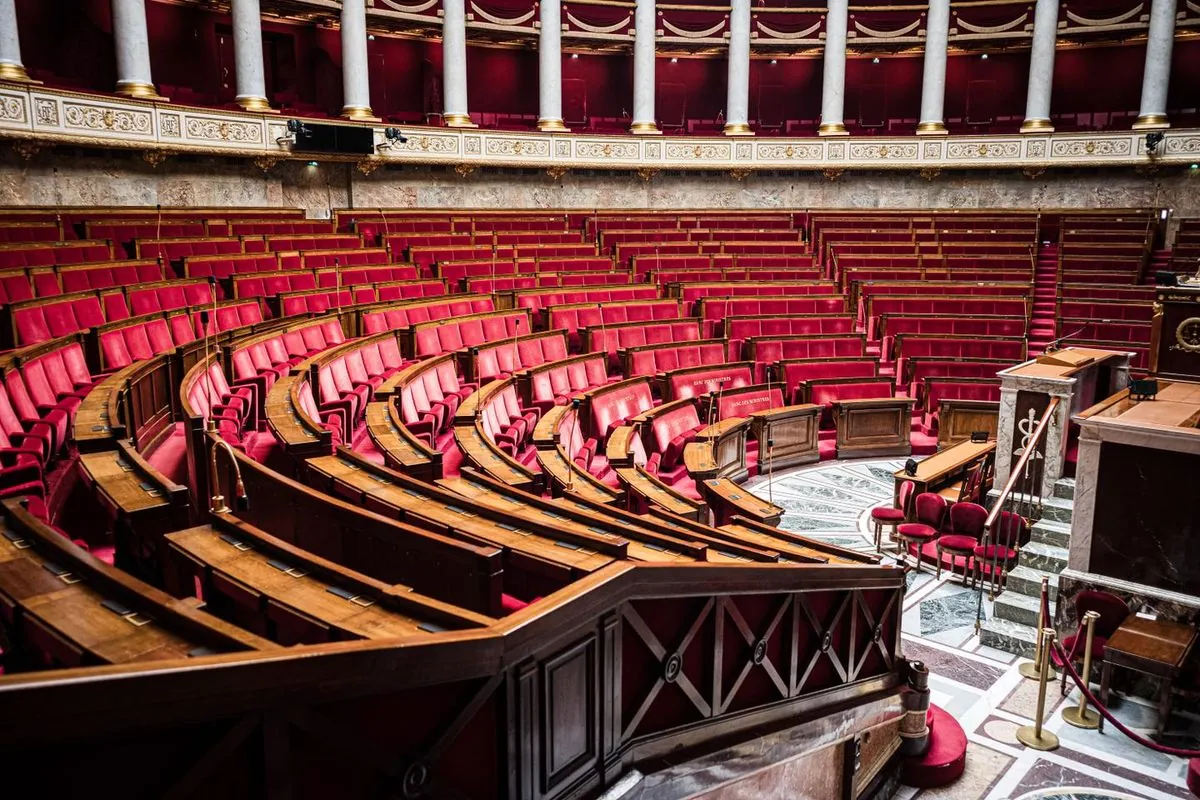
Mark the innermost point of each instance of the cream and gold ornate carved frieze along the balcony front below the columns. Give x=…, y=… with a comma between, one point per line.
x=55, y=117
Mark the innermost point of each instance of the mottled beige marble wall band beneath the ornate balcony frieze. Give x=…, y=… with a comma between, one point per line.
x=64, y=177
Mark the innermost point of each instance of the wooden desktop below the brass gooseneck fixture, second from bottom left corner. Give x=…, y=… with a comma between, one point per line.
x=305, y=594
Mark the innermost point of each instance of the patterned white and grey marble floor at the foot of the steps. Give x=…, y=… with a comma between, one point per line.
x=977, y=684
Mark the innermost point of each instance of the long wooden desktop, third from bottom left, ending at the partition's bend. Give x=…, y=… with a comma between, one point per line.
x=437, y=510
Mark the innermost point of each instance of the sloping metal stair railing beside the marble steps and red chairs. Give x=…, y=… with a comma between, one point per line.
x=1022, y=497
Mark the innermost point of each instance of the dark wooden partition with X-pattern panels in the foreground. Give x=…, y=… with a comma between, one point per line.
x=621, y=670
